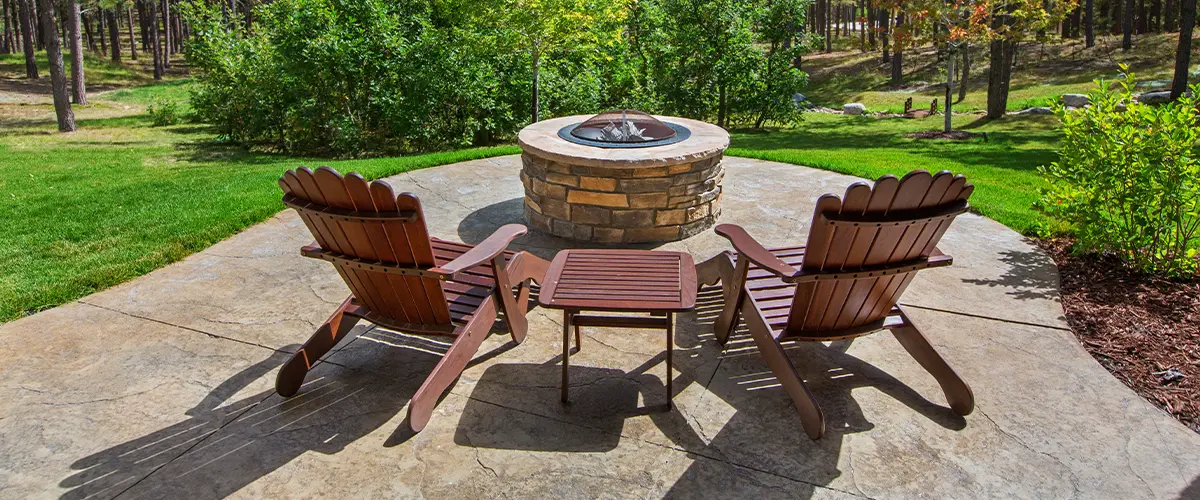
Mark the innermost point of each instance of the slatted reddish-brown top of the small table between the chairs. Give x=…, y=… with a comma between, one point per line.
x=621, y=281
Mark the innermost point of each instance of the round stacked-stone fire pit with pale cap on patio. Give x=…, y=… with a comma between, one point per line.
x=614, y=194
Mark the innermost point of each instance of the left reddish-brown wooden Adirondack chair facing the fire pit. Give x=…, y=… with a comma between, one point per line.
x=401, y=279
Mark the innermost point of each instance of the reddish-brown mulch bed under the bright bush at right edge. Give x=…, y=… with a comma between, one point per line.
x=1143, y=329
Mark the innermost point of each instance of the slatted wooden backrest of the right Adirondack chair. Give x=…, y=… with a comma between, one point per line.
x=896, y=230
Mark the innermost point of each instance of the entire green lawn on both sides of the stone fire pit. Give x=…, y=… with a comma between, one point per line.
x=121, y=198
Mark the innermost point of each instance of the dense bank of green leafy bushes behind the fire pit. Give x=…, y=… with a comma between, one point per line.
x=370, y=77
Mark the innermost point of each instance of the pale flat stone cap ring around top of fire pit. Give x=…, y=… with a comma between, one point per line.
x=542, y=138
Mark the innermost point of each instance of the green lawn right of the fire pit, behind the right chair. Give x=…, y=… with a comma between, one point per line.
x=1004, y=168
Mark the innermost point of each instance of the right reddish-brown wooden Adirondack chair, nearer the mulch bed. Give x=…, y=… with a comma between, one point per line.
x=863, y=251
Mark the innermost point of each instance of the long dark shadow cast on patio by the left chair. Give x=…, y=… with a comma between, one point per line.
x=225, y=445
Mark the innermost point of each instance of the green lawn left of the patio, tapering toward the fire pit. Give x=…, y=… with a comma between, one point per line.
x=119, y=198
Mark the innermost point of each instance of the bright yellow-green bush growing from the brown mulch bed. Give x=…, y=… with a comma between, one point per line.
x=1130, y=180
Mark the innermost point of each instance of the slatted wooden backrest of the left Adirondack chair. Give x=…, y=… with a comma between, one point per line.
x=401, y=240
